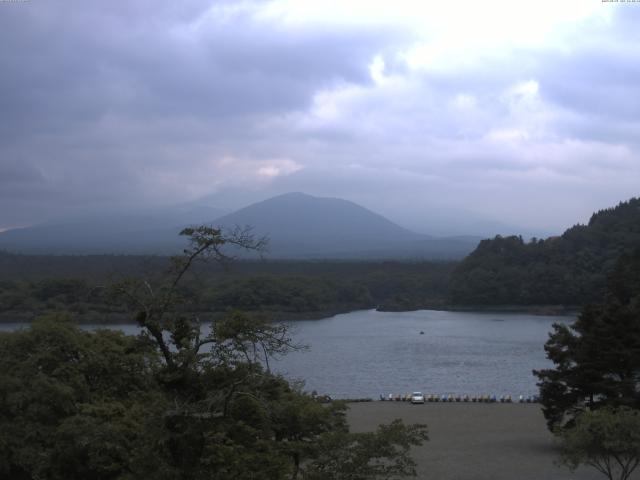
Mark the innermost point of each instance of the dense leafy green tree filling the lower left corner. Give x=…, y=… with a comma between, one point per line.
x=76, y=404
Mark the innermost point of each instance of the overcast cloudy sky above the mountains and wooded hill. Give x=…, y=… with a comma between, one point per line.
x=523, y=112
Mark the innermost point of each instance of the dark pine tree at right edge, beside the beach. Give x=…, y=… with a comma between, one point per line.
x=597, y=358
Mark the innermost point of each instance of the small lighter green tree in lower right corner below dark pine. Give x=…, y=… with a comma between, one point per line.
x=606, y=439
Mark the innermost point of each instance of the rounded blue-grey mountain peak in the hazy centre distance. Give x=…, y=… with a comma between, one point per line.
x=303, y=226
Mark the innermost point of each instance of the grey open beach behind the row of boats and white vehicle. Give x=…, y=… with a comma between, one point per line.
x=471, y=441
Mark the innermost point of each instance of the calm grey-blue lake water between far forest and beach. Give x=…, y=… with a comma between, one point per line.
x=368, y=353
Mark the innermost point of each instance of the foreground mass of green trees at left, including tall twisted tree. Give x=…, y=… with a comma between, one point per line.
x=175, y=402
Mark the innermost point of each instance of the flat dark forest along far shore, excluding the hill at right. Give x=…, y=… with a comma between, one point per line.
x=31, y=285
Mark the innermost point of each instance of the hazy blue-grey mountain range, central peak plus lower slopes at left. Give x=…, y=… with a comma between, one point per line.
x=298, y=226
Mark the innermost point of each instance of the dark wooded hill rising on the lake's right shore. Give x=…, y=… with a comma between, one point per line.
x=570, y=269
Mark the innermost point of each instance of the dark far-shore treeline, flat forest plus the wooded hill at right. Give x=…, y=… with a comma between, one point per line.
x=547, y=276
